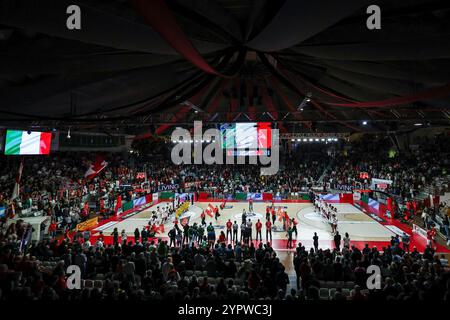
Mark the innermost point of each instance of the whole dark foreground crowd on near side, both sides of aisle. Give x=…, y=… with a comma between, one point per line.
x=154, y=271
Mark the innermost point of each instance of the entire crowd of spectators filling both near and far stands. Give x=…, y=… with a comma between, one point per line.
x=152, y=271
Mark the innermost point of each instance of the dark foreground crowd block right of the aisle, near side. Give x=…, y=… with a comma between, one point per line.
x=404, y=275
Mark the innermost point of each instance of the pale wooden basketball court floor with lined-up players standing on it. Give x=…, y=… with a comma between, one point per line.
x=361, y=227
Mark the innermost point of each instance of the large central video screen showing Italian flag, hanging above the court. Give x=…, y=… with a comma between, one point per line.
x=246, y=135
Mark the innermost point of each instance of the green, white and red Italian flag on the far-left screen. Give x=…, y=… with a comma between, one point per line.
x=27, y=142
